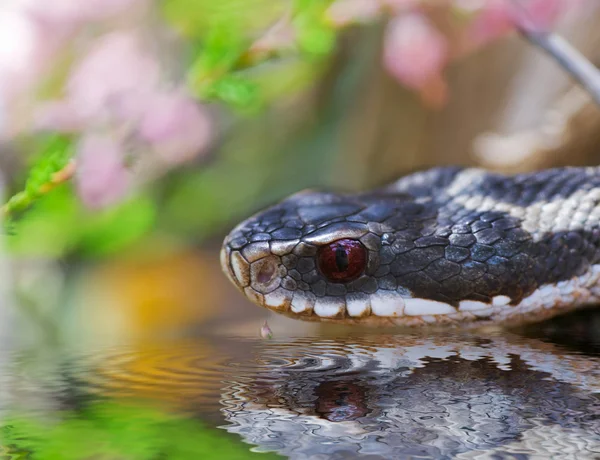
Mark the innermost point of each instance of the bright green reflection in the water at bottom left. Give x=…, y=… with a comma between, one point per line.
x=116, y=429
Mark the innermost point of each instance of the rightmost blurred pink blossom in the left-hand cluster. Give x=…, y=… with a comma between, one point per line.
x=176, y=126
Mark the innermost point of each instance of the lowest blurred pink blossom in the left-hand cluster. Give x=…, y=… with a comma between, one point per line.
x=102, y=178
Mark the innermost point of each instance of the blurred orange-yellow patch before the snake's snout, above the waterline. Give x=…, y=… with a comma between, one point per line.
x=154, y=296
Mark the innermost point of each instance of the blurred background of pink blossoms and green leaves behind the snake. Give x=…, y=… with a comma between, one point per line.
x=134, y=134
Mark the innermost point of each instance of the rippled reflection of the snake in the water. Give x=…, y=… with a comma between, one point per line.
x=406, y=397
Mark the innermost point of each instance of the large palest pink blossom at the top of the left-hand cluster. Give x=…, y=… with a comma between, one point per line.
x=116, y=68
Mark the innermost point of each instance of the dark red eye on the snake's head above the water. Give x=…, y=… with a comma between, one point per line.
x=342, y=260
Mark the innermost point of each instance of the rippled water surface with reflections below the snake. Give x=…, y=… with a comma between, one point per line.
x=352, y=395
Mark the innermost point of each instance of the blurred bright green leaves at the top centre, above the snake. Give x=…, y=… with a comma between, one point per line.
x=222, y=64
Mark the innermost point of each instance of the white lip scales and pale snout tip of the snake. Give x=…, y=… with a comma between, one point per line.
x=261, y=277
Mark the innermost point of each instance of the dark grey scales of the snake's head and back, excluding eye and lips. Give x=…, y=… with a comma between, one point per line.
x=425, y=241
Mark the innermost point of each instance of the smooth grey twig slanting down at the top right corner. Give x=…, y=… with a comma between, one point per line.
x=580, y=68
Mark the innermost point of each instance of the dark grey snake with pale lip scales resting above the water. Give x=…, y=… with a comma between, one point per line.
x=451, y=246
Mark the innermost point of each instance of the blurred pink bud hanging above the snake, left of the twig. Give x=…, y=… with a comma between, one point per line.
x=414, y=51
